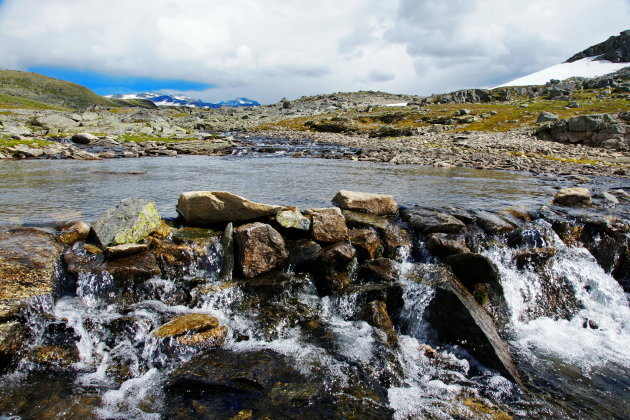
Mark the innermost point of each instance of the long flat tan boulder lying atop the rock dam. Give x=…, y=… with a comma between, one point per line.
x=204, y=208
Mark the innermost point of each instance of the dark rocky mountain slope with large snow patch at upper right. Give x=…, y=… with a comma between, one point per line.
x=597, y=60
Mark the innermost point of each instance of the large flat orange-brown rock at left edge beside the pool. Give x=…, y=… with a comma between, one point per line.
x=28, y=259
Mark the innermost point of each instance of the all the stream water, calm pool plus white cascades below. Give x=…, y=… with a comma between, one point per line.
x=117, y=369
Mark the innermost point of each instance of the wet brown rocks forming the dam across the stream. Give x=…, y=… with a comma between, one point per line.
x=354, y=248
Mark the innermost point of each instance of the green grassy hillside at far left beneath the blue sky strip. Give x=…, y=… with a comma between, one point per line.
x=19, y=89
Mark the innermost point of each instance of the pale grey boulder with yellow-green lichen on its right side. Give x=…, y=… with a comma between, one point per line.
x=129, y=222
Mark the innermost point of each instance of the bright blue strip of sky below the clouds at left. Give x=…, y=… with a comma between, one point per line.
x=107, y=84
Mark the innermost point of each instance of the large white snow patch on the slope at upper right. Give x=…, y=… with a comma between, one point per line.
x=586, y=67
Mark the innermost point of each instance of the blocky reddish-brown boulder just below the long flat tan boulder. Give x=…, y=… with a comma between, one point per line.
x=259, y=248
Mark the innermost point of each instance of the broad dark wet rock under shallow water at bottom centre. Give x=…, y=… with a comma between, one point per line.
x=225, y=383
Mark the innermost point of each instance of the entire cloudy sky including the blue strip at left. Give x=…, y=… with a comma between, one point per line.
x=266, y=50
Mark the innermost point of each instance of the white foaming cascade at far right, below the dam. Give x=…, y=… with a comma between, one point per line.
x=604, y=306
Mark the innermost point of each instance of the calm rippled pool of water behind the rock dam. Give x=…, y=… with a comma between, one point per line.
x=43, y=191
